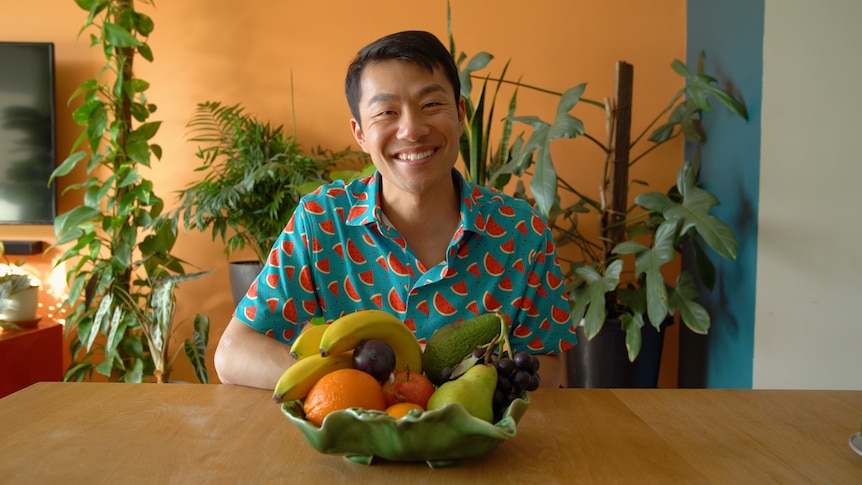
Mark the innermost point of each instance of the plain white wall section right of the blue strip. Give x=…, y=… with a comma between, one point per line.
x=808, y=330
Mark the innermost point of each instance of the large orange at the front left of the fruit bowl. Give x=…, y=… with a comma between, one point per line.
x=342, y=389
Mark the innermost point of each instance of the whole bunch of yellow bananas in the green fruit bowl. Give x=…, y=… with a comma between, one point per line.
x=325, y=348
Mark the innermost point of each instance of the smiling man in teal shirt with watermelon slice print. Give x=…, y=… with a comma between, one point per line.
x=414, y=239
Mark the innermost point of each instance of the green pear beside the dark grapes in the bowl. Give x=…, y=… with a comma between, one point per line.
x=474, y=390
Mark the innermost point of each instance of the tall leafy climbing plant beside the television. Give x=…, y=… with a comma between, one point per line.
x=121, y=274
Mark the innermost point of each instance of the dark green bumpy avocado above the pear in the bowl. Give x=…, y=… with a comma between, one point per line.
x=450, y=344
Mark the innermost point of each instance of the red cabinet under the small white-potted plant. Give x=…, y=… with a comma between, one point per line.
x=30, y=355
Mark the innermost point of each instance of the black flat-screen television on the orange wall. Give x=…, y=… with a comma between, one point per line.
x=27, y=133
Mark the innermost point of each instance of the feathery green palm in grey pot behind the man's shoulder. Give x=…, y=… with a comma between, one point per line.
x=252, y=176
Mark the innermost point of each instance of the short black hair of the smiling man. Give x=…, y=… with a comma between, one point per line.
x=416, y=46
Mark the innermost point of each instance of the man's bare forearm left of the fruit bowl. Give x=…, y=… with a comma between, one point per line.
x=250, y=358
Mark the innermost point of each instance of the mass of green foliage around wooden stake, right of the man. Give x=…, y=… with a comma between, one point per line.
x=619, y=273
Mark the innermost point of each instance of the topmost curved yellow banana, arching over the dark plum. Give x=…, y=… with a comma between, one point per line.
x=346, y=332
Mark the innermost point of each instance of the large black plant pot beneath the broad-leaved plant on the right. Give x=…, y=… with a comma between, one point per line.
x=603, y=361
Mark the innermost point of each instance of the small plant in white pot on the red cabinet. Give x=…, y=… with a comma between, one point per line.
x=19, y=295
